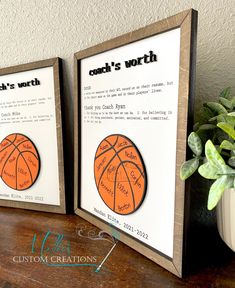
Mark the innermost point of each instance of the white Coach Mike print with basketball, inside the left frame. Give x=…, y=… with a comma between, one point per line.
x=29, y=155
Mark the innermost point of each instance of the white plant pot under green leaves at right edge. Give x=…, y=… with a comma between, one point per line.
x=226, y=217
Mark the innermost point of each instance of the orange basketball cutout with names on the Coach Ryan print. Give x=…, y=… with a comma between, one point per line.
x=120, y=174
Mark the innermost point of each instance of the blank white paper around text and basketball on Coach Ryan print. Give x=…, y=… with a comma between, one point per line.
x=156, y=140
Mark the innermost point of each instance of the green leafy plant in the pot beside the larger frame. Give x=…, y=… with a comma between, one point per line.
x=213, y=147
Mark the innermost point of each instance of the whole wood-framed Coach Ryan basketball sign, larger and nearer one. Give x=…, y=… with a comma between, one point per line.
x=133, y=106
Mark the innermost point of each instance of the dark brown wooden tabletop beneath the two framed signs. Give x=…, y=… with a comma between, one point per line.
x=31, y=234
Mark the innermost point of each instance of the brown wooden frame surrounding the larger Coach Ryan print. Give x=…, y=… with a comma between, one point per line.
x=187, y=21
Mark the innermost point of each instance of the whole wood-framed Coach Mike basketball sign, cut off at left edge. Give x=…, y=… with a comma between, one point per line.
x=39, y=93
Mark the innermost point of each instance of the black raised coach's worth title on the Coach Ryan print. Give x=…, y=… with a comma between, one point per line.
x=150, y=57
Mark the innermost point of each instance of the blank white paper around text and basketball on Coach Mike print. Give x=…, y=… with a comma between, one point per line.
x=43, y=134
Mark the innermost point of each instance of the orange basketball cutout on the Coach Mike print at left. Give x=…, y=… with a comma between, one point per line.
x=19, y=162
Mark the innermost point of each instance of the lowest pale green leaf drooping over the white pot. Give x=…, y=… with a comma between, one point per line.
x=217, y=189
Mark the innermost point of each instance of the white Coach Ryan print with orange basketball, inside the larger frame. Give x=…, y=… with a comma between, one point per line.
x=129, y=100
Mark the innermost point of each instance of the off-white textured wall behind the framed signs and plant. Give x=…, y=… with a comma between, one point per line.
x=36, y=29
